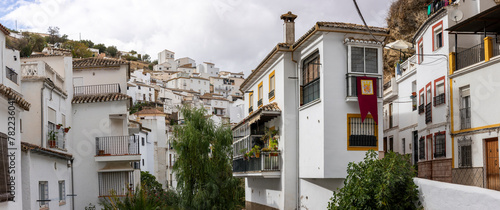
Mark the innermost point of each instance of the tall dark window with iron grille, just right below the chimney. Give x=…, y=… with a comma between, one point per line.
x=310, y=79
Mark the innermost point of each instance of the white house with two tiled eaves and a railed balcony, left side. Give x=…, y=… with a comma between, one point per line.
x=104, y=151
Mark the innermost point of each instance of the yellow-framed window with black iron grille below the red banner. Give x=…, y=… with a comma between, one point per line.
x=361, y=135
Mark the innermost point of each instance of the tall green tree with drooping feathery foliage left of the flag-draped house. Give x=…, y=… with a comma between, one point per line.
x=203, y=168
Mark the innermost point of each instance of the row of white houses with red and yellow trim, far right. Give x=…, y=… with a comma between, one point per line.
x=438, y=106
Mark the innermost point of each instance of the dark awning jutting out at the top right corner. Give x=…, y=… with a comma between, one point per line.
x=487, y=21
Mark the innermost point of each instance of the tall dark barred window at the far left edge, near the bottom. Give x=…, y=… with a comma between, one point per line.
x=4, y=169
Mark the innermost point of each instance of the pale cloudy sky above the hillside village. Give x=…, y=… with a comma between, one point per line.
x=234, y=34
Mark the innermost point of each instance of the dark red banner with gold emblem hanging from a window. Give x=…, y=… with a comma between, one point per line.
x=367, y=97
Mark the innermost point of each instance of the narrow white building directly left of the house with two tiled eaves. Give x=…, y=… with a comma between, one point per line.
x=45, y=150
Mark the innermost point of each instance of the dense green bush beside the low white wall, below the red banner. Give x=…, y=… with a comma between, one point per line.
x=378, y=184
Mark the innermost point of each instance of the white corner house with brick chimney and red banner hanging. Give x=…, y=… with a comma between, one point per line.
x=308, y=98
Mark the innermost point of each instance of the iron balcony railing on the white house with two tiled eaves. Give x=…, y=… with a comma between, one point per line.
x=117, y=145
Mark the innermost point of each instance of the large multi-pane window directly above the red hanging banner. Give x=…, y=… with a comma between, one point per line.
x=364, y=60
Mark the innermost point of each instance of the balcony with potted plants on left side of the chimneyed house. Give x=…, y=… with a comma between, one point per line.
x=268, y=165
